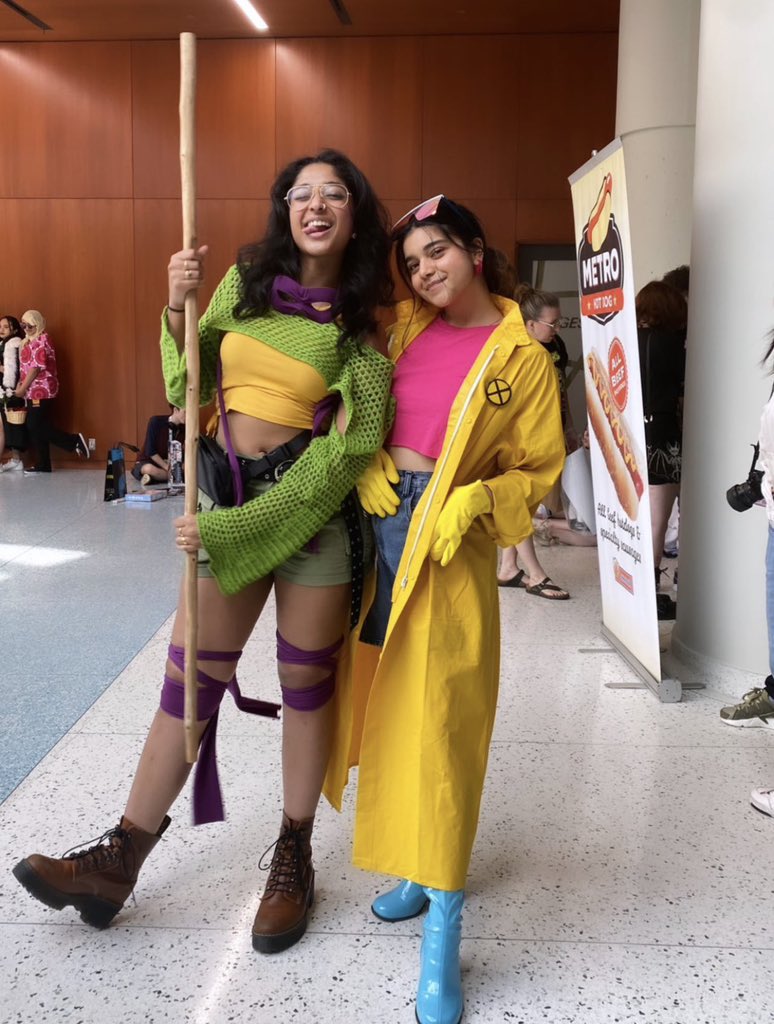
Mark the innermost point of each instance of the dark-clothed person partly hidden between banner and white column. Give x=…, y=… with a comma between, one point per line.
x=662, y=316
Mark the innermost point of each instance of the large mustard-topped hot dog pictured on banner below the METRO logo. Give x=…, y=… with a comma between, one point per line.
x=624, y=462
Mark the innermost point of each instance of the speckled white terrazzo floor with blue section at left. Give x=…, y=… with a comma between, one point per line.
x=620, y=874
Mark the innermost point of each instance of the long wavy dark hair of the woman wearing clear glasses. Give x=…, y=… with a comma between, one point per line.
x=366, y=280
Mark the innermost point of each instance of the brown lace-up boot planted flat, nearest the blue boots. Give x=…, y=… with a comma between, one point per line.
x=284, y=911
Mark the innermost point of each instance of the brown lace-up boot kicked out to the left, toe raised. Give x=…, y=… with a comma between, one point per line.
x=97, y=882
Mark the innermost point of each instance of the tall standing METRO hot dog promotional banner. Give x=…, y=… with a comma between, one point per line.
x=614, y=396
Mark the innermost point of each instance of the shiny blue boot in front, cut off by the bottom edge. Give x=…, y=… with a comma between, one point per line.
x=440, y=999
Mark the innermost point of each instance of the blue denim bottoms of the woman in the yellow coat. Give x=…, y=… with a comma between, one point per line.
x=391, y=535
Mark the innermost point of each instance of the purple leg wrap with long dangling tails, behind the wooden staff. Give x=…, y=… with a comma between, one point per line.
x=208, y=802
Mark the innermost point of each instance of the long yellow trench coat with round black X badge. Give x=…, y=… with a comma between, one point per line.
x=418, y=718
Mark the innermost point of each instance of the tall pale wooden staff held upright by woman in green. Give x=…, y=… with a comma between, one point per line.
x=189, y=183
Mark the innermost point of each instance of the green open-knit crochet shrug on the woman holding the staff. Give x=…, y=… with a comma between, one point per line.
x=249, y=542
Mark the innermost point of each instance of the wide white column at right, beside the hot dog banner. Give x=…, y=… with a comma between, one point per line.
x=721, y=610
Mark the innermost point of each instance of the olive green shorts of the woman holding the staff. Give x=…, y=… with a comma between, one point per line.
x=325, y=562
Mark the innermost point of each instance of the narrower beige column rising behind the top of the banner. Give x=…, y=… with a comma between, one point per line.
x=656, y=117
